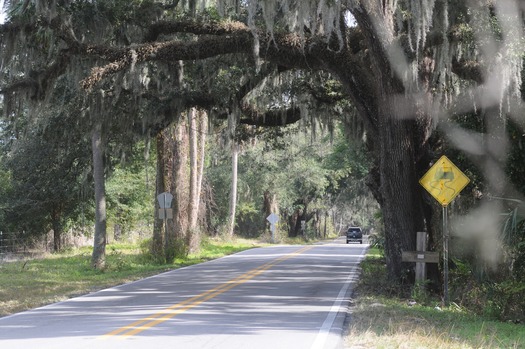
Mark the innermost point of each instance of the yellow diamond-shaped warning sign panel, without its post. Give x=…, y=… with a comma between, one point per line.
x=444, y=181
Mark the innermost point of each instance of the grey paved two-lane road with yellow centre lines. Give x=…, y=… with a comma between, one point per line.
x=274, y=297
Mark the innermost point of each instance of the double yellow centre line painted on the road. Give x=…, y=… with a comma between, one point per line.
x=176, y=309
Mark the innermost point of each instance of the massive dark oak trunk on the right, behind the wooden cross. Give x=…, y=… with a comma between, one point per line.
x=397, y=134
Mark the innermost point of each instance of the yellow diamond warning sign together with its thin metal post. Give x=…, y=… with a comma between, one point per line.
x=444, y=181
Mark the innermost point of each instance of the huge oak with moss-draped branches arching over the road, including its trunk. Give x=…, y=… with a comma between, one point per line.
x=408, y=67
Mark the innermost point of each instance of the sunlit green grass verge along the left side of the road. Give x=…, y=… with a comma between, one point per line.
x=30, y=283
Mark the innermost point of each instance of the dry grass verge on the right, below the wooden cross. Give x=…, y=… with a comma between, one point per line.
x=381, y=318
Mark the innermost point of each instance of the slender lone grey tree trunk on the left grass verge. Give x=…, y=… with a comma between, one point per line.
x=98, y=259
